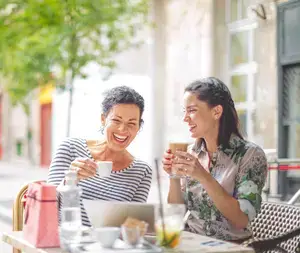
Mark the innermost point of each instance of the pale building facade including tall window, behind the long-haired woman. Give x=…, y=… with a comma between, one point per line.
x=224, y=38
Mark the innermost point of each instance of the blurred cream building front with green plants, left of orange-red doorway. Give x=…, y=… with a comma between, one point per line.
x=16, y=142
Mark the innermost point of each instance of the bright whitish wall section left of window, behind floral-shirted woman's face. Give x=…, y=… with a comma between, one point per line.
x=189, y=56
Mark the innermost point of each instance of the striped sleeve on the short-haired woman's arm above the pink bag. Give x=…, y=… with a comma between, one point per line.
x=60, y=163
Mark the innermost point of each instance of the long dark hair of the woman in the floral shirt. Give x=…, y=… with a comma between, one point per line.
x=214, y=92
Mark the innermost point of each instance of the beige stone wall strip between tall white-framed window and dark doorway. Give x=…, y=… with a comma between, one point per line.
x=266, y=94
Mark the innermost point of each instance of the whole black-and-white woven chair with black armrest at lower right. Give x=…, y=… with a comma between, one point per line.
x=276, y=229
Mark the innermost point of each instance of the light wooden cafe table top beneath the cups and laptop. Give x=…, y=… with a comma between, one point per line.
x=189, y=243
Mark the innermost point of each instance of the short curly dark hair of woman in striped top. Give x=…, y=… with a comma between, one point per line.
x=122, y=95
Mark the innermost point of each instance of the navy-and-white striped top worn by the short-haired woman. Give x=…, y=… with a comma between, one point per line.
x=129, y=184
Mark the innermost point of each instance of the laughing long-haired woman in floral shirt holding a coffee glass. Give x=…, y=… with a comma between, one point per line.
x=224, y=174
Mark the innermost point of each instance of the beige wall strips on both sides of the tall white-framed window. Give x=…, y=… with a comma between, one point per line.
x=265, y=55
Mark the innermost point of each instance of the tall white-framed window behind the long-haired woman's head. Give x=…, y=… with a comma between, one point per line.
x=241, y=64
